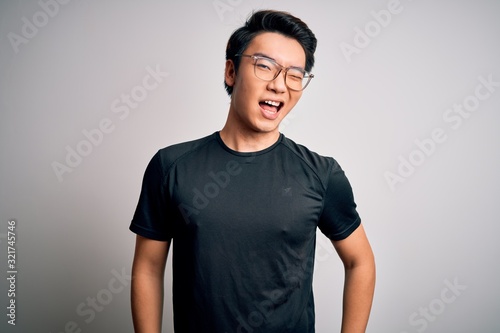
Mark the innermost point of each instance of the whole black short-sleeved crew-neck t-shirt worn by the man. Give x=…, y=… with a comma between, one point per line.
x=243, y=227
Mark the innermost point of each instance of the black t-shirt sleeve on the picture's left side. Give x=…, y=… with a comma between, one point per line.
x=151, y=216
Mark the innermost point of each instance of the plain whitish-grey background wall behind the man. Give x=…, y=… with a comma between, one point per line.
x=434, y=227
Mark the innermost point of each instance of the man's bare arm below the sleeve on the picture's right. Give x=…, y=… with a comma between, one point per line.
x=359, y=264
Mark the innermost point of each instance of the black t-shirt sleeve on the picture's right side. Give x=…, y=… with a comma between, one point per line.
x=339, y=217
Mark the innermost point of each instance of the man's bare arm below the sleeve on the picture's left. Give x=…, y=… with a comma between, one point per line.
x=148, y=272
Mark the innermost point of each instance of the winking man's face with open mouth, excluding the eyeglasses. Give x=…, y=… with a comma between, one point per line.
x=251, y=96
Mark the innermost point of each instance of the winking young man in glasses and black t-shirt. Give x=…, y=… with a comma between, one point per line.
x=242, y=206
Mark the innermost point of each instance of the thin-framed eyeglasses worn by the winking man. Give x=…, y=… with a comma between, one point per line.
x=267, y=70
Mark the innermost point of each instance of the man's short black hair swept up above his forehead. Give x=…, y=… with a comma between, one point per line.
x=270, y=21
